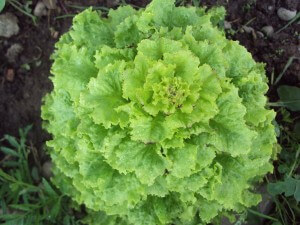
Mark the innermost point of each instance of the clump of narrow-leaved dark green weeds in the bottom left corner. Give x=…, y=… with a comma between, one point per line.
x=25, y=196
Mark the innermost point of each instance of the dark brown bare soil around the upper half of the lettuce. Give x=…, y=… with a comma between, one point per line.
x=24, y=83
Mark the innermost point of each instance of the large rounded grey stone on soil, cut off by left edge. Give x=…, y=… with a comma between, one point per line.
x=8, y=25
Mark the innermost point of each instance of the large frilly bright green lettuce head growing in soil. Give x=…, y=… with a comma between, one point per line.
x=157, y=118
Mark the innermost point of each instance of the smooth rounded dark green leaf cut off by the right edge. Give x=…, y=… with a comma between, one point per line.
x=289, y=97
